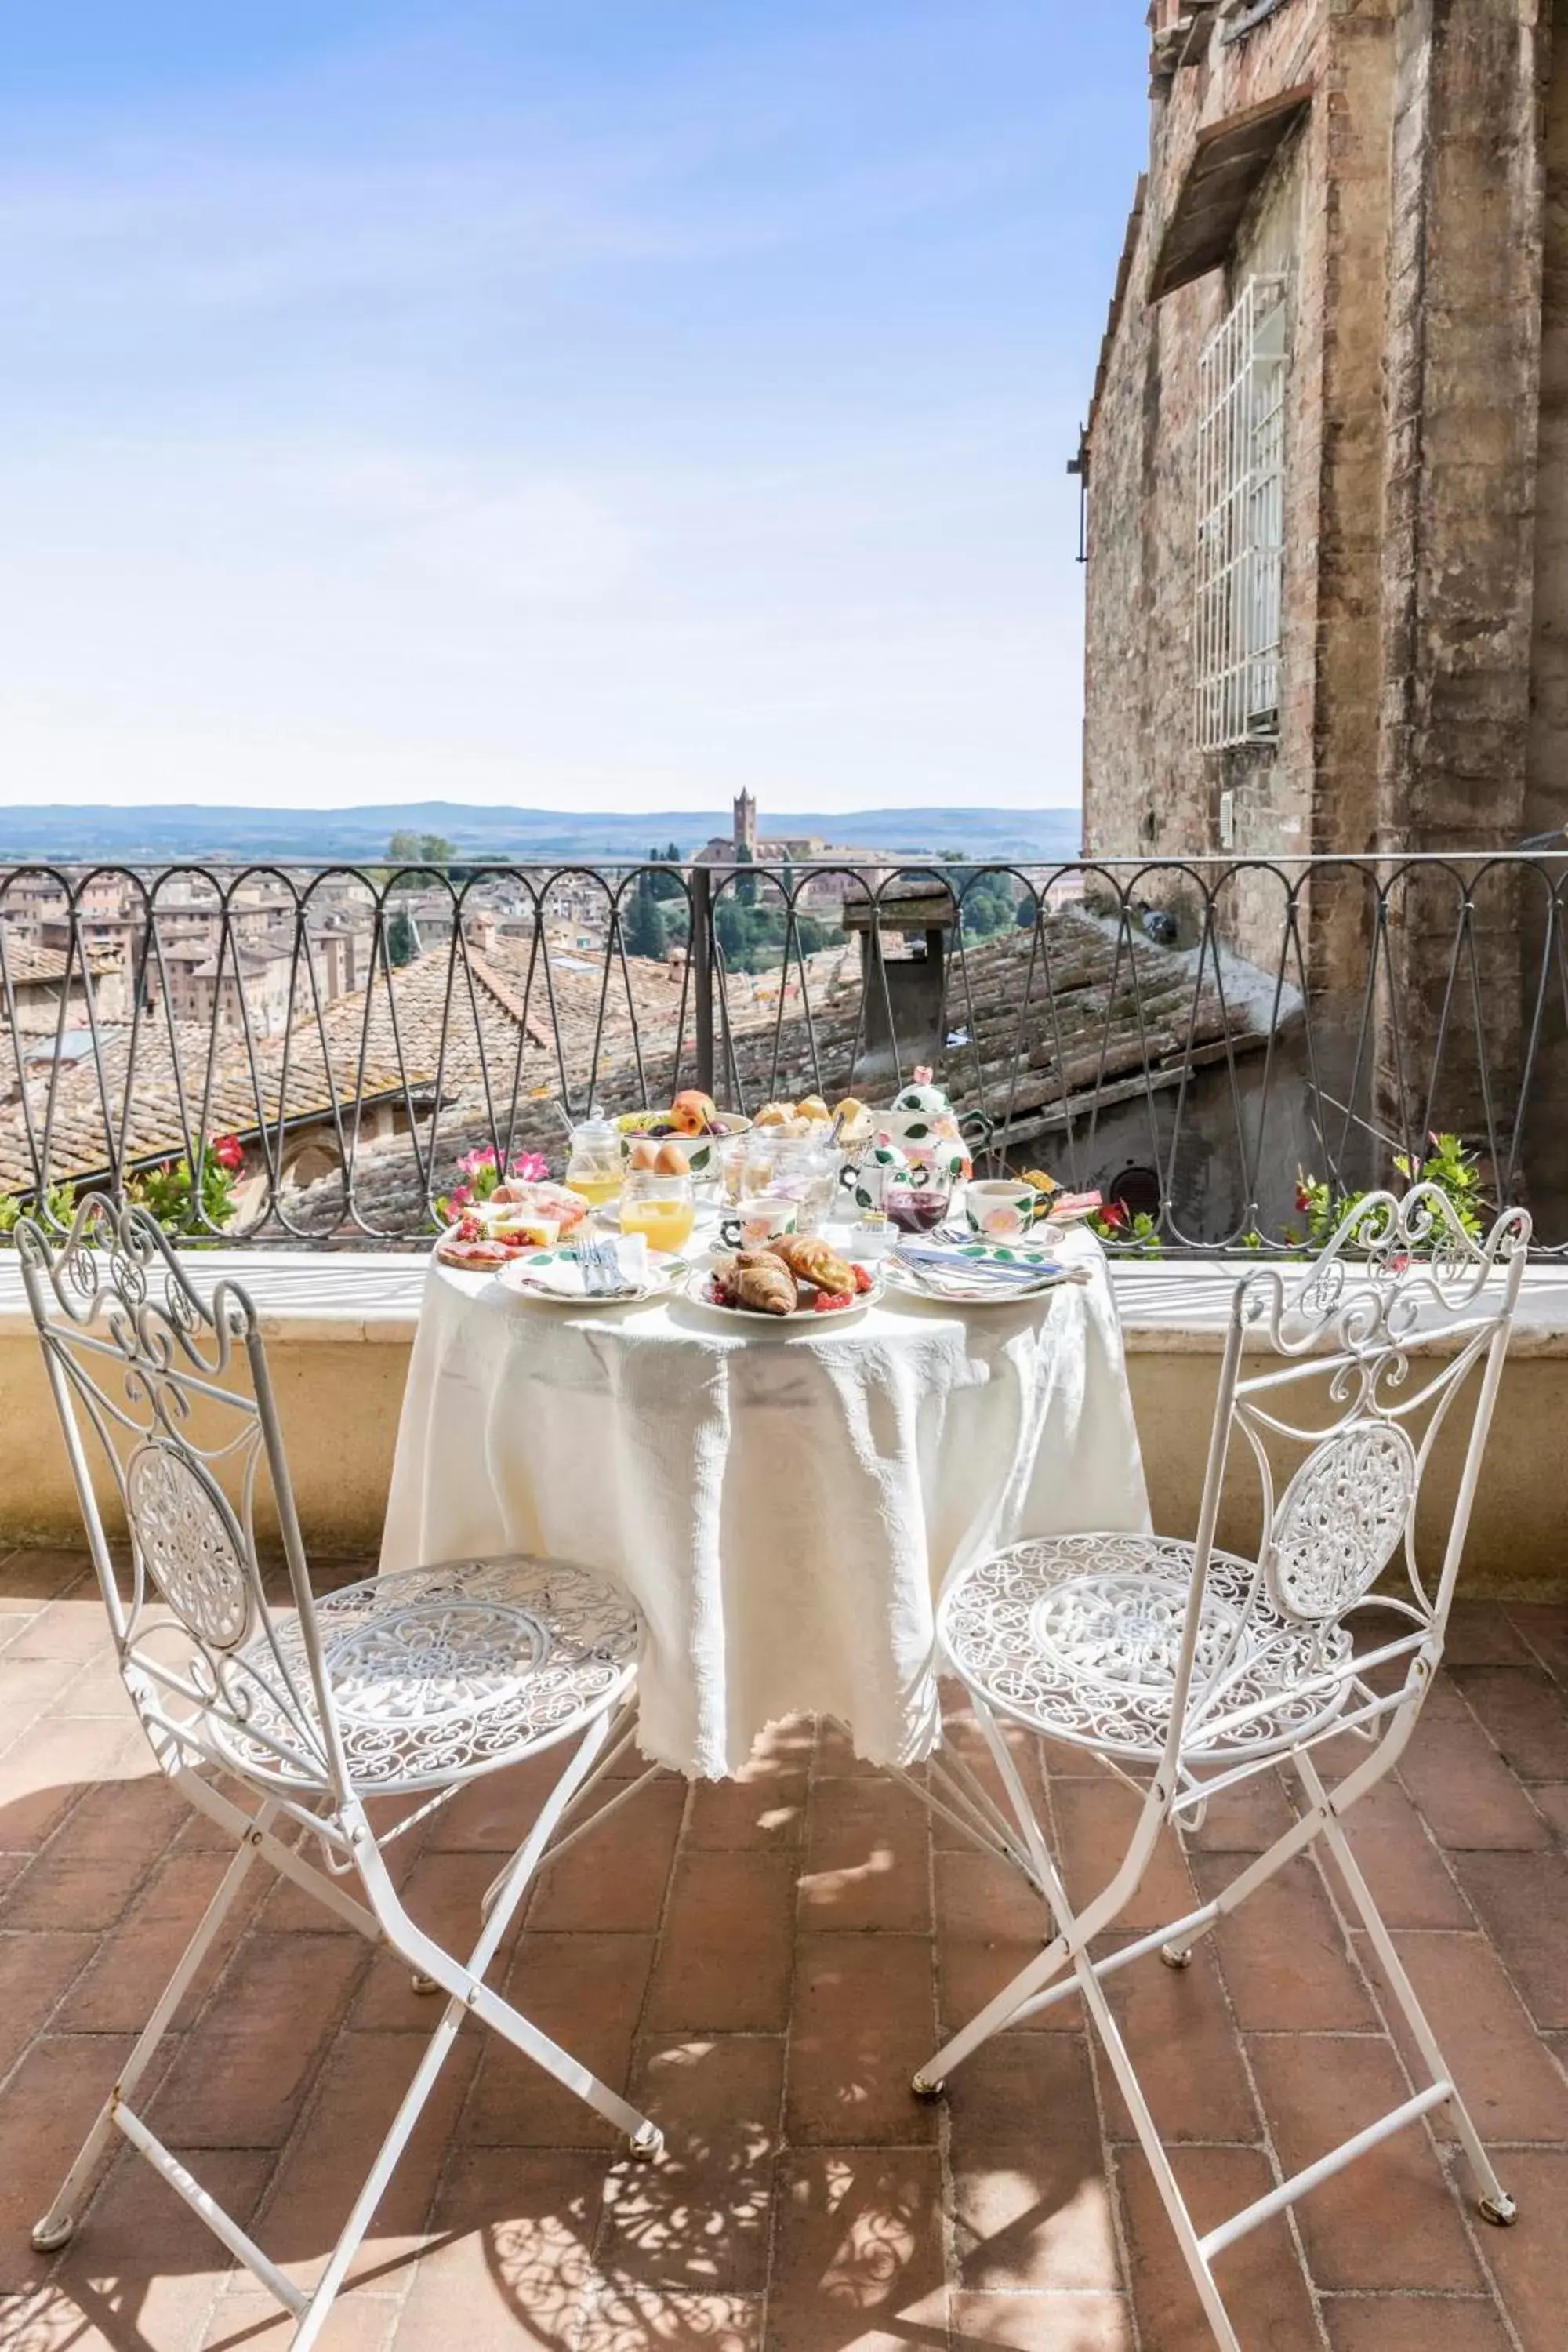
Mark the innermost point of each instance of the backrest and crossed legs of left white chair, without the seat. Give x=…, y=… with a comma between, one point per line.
x=170, y=1356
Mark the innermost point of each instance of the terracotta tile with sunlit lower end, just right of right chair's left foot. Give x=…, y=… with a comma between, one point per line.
x=1031, y=2203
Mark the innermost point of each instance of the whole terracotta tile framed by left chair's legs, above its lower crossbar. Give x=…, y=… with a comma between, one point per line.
x=246, y=2069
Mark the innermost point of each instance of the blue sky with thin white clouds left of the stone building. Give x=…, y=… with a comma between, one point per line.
x=594, y=403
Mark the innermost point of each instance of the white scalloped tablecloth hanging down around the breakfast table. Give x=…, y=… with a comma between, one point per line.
x=782, y=1504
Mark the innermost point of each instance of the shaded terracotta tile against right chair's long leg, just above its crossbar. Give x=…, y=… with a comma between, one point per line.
x=1181, y=2038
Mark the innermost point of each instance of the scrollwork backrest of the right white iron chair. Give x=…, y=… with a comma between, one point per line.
x=1391, y=1342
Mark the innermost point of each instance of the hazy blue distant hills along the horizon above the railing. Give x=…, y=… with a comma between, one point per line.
x=507, y=834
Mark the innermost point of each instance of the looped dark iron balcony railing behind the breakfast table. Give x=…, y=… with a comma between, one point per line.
x=309, y=1055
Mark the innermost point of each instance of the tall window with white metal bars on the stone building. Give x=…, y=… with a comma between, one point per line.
x=1240, y=526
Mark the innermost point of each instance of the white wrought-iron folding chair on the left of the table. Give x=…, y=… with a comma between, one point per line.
x=401, y=1688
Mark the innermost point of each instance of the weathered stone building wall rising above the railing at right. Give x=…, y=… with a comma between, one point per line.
x=1388, y=180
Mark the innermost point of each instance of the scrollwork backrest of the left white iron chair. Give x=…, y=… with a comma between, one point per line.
x=170, y=1391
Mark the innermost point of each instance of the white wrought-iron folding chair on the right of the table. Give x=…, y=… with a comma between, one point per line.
x=1188, y=1669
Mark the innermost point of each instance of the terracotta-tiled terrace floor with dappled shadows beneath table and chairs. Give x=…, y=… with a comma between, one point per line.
x=765, y=1963
